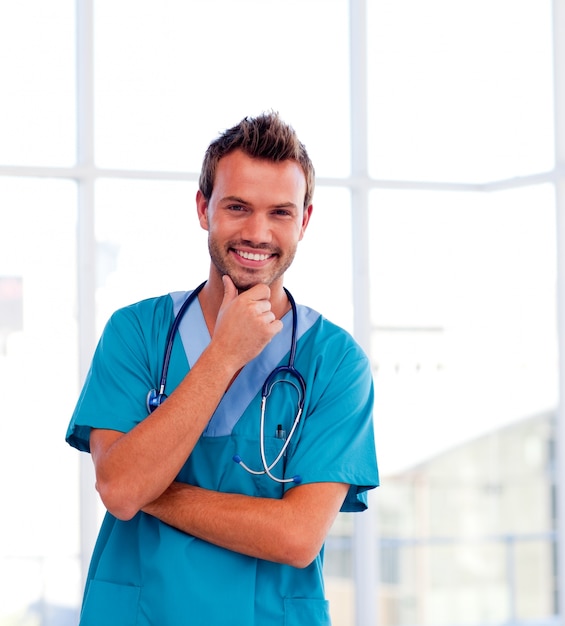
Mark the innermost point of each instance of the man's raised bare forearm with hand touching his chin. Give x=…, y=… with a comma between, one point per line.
x=134, y=468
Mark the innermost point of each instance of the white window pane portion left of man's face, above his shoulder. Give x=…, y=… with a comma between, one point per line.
x=149, y=242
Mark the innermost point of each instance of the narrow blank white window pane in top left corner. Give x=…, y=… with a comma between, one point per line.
x=37, y=74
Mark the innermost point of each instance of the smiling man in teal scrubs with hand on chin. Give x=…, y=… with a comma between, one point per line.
x=192, y=537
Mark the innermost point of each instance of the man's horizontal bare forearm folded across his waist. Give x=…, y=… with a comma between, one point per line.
x=290, y=530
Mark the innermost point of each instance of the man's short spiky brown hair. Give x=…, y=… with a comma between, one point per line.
x=262, y=137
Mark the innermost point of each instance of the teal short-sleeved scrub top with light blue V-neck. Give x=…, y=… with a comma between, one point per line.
x=144, y=572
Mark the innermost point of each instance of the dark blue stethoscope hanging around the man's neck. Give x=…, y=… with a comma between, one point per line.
x=156, y=398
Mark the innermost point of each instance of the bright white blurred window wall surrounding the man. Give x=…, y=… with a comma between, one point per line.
x=434, y=129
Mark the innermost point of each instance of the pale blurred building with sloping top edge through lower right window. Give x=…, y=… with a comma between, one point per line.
x=479, y=547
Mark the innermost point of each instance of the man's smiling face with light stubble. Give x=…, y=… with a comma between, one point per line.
x=254, y=218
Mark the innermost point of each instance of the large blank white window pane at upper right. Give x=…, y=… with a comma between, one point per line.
x=460, y=91
